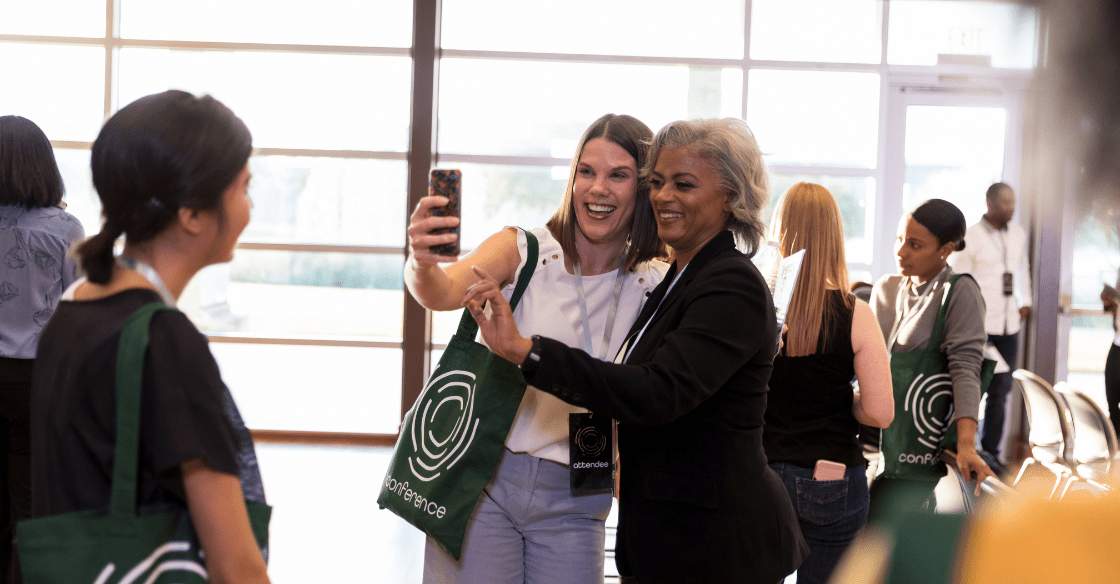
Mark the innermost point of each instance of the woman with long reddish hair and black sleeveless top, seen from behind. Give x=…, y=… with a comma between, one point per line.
x=813, y=412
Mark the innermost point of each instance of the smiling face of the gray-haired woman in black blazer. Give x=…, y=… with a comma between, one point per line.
x=690, y=207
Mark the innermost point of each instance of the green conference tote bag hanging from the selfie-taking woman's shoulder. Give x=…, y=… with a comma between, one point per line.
x=452, y=439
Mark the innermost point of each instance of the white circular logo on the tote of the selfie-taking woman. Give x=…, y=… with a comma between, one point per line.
x=443, y=424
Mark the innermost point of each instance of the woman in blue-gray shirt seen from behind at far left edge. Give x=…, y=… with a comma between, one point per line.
x=35, y=239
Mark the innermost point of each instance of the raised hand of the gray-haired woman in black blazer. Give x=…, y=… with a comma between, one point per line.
x=498, y=328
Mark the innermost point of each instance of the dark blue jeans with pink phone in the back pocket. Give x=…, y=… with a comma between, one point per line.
x=830, y=514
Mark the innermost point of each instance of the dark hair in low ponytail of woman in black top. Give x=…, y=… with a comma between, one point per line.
x=158, y=155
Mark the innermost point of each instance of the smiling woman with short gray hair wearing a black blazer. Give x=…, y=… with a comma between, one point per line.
x=697, y=502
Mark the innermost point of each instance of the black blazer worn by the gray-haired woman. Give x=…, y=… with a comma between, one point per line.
x=698, y=502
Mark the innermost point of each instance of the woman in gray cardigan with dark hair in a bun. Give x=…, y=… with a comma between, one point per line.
x=907, y=307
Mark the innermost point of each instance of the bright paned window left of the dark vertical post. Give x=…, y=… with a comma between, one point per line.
x=312, y=305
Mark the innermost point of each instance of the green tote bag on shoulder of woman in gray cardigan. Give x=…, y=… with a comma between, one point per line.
x=923, y=405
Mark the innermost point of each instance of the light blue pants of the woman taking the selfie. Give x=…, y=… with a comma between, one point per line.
x=527, y=529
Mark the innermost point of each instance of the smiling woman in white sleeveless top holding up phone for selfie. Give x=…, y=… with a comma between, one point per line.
x=594, y=273
